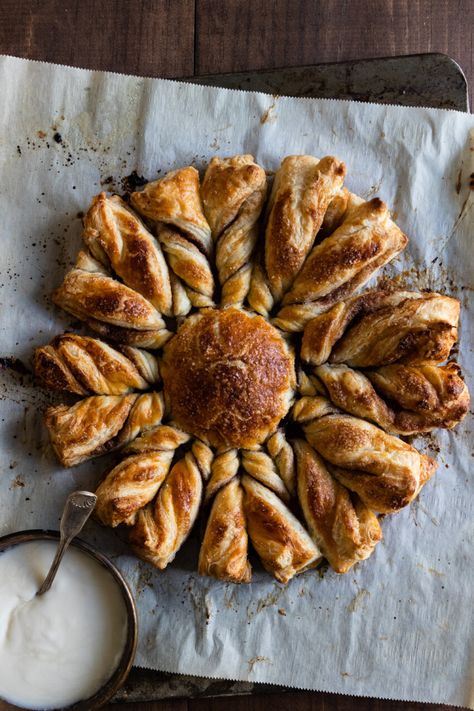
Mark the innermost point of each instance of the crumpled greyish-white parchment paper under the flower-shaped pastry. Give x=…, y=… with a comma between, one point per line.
x=398, y=625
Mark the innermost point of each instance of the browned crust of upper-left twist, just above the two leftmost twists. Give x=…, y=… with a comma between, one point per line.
x=91, y=295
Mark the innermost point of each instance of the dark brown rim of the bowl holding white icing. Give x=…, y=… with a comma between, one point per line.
x=115, y=681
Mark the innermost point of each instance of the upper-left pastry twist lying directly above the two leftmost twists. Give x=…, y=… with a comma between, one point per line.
x=110, y=307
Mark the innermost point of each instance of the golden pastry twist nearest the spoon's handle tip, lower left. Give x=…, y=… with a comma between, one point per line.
x=134, y=482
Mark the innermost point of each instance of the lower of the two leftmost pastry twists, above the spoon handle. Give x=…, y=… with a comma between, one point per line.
x=100, y=424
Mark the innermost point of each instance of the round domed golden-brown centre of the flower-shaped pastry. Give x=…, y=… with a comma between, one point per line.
x=228, y=377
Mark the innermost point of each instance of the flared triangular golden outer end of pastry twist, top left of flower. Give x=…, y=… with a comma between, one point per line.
x=175, y=200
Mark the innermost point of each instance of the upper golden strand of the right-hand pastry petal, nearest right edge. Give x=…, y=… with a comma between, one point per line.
x=416, y=331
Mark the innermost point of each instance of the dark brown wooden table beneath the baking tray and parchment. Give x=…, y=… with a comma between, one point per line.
x=175, y=38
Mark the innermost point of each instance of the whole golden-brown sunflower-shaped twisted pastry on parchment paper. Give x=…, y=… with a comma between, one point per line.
x=240, y=372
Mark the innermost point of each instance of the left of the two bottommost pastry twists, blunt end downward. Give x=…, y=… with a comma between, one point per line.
x=224, y=548
